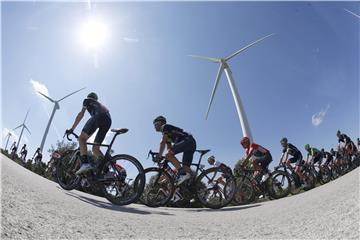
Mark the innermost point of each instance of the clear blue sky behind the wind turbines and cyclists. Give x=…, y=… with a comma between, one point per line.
x=309, y=69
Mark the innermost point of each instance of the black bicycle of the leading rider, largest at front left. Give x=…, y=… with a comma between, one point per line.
x=121, y=177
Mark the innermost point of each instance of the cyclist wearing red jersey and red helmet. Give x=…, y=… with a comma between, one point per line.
x=260, y=155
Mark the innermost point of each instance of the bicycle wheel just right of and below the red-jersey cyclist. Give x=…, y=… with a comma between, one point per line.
x=280, y=184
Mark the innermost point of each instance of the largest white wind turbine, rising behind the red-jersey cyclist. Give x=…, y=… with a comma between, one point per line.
x=225, y=67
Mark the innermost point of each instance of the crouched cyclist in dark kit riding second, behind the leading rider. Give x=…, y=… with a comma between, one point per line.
x=176, y=140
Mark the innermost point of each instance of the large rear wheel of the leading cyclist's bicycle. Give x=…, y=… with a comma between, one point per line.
x=124, y=179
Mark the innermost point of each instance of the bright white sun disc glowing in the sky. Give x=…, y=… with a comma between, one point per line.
x=93, y=34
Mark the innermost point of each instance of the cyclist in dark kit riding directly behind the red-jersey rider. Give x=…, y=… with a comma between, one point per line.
x=289, y=149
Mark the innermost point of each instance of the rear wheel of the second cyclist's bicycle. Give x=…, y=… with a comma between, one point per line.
x=215, y=188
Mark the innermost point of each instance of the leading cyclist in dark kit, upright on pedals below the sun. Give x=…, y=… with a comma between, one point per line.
x=100, y=119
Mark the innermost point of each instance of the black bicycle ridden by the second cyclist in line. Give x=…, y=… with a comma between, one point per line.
x=213, y=187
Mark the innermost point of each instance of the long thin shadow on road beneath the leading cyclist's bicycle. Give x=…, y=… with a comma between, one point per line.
x=106, y=205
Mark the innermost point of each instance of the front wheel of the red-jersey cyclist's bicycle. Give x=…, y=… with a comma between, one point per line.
x=245, y=193
